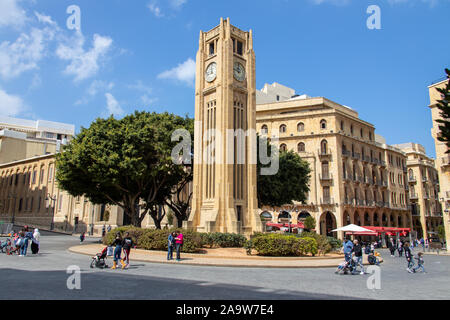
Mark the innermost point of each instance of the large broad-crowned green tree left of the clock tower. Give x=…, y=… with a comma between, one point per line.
x=123, y=162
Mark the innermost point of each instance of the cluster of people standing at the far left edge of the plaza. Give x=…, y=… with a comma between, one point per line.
x=20, y=241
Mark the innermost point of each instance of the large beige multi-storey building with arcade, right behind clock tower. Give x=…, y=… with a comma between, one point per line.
x=356, y=177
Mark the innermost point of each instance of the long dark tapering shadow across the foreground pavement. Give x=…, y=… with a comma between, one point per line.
x=110, y=284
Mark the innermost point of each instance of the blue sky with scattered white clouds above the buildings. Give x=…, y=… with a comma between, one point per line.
x=140, y=55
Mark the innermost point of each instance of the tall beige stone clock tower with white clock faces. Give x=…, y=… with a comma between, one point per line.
x=224, y=186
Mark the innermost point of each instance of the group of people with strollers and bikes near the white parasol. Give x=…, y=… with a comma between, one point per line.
x=353, y=253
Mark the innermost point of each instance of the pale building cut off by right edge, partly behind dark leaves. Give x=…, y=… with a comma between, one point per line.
x=442, y=158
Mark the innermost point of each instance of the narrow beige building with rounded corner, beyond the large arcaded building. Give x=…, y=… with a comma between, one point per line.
x=423, y=183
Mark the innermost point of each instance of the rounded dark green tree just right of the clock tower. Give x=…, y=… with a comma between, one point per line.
x=290, y=183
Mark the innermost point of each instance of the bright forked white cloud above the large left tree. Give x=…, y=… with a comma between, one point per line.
x=84, y=64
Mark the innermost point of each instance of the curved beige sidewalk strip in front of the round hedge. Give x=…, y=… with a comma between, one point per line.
x=223, y=258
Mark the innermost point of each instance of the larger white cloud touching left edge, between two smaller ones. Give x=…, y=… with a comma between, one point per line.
x=25, y=53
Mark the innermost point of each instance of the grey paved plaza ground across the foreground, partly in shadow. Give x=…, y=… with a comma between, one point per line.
x=46, y=274
